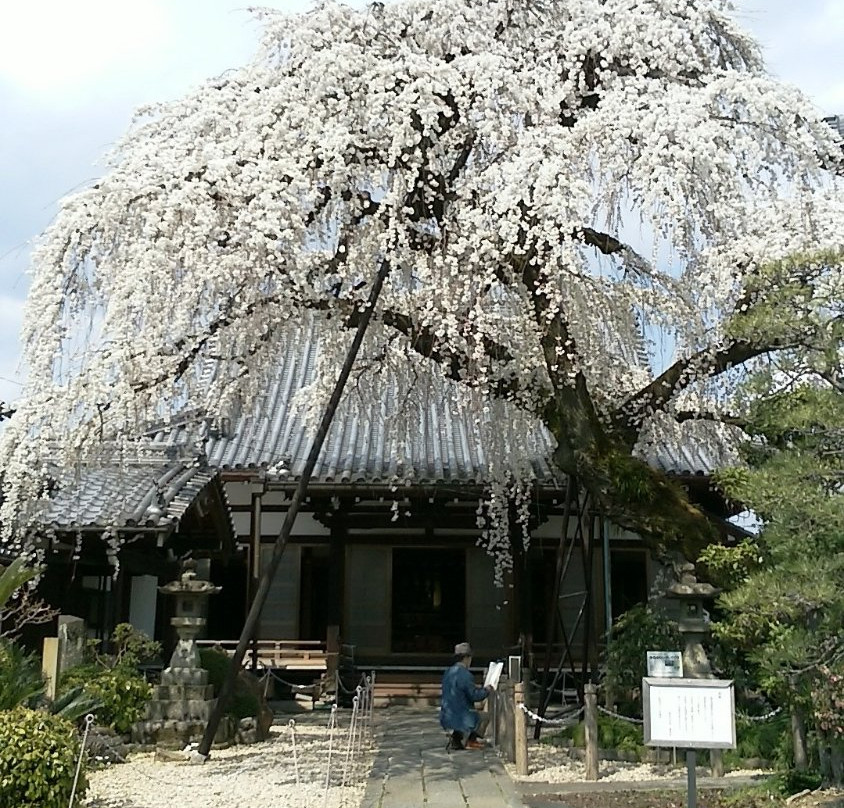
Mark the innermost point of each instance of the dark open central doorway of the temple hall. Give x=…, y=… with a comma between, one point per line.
x=428, y=600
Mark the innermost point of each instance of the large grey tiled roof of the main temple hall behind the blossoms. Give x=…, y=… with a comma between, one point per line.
x=445, y=449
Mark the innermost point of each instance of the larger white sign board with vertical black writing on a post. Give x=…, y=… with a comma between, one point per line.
x=691, y=713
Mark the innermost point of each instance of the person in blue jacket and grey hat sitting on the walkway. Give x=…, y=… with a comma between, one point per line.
x=459, y=695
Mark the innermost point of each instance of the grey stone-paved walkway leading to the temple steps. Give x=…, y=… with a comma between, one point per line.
x=412, y=768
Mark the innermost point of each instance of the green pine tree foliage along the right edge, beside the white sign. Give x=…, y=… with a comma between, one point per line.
x=784, y=607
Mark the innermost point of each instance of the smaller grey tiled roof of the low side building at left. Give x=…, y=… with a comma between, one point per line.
x=153, y=491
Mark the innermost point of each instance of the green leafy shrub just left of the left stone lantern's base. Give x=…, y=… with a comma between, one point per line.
x=122, y=692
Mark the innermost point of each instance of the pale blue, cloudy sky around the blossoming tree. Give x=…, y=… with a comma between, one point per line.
x=71, y=74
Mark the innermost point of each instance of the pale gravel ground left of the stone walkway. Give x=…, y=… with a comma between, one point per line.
x=277, y=772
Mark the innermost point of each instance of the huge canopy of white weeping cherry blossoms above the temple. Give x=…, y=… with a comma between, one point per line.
x=491, y=154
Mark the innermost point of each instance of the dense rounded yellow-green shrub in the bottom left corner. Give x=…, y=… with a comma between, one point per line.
x=38, y=756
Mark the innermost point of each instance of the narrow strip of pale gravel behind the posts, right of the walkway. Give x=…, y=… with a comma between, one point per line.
x=549, y=764
